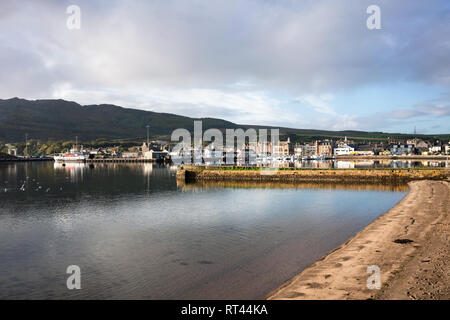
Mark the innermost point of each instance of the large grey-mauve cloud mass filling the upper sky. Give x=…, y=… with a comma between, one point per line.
x=306, y=45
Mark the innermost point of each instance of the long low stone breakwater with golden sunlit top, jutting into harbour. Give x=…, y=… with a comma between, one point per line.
x=291, y=175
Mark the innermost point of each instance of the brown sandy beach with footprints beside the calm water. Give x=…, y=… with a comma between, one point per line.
x=410, y=244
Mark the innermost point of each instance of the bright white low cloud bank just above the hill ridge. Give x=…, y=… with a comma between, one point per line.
x=245, y=107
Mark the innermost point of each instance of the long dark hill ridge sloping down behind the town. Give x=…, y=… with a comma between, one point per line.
x=63, y=120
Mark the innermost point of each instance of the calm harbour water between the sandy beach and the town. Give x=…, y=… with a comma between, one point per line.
x=135, y=233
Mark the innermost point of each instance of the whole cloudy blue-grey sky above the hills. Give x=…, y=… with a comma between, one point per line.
x=310, y=64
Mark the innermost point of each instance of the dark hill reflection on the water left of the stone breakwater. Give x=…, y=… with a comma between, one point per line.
x=21, y=180
